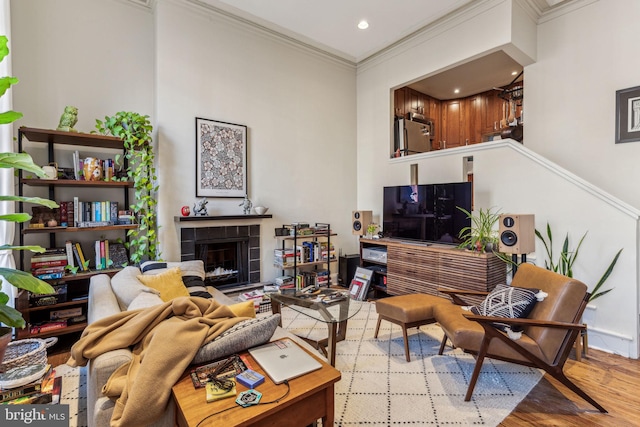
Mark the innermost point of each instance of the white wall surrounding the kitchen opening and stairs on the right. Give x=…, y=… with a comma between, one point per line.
x=582, y=58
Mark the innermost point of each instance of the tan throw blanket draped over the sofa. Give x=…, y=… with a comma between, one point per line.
x=164, y=340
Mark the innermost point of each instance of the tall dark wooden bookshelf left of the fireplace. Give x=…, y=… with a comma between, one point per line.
x=76, y=286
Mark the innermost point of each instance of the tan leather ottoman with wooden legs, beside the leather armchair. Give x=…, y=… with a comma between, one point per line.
x=407, y=311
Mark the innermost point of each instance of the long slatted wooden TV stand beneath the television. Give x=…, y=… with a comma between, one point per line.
x=415, y=267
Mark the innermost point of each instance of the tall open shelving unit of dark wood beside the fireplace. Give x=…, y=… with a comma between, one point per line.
x=76, y=286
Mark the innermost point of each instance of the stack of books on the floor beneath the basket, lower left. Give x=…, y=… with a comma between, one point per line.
x=44, y=389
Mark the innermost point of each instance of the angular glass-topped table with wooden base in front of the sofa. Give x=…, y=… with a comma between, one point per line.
x=330, y=306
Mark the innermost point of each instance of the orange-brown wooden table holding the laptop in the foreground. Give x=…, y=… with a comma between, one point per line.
x=310, y=398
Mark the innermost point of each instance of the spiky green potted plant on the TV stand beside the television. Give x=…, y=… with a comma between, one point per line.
x=482, y=234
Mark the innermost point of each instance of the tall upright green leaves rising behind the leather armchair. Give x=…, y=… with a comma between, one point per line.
x=568, y=256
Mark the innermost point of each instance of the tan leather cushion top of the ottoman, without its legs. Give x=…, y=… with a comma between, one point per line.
x=409, y=308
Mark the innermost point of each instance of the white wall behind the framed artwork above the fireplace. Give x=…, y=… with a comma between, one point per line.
x=299, y=109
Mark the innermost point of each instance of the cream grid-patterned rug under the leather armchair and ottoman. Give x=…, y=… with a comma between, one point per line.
x=380, y=388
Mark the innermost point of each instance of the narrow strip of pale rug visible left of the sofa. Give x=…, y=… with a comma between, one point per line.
x=74, y=393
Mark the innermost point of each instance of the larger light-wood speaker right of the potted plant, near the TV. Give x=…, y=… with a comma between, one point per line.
x=517, y=234
